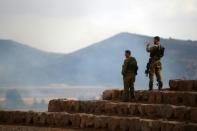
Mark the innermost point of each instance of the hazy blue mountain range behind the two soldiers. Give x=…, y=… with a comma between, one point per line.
x=98, y=64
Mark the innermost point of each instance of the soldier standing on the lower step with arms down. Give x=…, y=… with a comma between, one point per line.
x=129, y=71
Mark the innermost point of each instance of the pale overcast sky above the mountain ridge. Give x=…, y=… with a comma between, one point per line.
x=67, y=25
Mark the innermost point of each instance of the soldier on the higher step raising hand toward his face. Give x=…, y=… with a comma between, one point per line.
x=154, y=65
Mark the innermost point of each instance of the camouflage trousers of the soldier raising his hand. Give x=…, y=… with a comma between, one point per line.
x=155, y=69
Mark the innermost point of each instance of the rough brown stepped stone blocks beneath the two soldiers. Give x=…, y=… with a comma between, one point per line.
x=174, y=109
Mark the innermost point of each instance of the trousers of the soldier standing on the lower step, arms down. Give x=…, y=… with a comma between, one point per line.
x=128, y=92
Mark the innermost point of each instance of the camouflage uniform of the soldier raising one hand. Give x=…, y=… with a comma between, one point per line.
x=154, y=66
